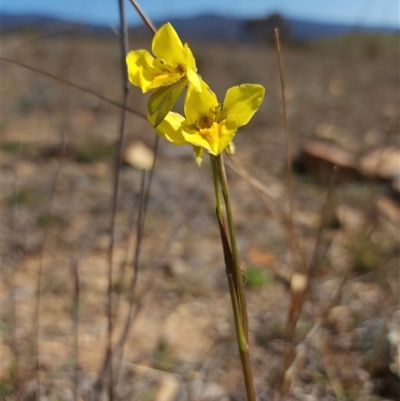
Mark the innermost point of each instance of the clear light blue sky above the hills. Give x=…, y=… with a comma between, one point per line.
x=382, y=13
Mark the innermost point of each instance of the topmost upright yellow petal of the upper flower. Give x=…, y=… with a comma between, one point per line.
x=168, y=47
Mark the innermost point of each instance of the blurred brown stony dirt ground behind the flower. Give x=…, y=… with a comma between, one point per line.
x=56, y=218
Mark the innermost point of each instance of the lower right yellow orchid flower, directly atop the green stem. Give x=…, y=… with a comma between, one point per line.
x=208, y=124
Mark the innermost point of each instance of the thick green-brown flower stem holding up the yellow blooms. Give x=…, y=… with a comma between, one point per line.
x=233, y=272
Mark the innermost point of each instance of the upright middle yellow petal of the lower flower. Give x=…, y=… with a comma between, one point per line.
x=198, y=104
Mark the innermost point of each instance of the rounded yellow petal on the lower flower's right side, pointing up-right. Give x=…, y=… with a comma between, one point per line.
x=243, y=101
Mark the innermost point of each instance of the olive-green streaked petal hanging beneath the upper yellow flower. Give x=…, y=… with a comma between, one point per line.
x=162, y=100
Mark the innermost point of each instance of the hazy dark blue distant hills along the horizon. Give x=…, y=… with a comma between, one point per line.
x=203, y=27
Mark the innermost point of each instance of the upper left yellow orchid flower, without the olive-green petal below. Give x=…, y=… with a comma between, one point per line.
x=173, y=62
